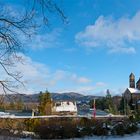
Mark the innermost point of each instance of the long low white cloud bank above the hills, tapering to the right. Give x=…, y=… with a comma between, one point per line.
x=37, y=77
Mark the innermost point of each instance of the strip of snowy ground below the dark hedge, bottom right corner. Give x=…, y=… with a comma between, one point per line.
x=126, y=137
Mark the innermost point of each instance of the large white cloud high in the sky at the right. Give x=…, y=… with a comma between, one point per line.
x=117, y=35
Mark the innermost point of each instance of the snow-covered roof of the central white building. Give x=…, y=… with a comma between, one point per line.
x=65, y=106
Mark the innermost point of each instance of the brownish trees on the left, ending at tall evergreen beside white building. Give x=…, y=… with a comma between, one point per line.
x=43, y=107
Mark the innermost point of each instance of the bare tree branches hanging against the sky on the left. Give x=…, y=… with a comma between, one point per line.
x=14, y=26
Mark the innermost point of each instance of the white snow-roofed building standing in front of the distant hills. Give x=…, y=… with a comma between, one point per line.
x=64, y=108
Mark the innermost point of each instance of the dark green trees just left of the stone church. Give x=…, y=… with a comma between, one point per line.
x=114, y=105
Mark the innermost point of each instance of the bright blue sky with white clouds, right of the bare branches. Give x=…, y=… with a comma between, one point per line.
x=95, y=51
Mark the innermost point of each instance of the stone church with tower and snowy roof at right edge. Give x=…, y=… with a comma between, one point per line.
x=133, y=92
